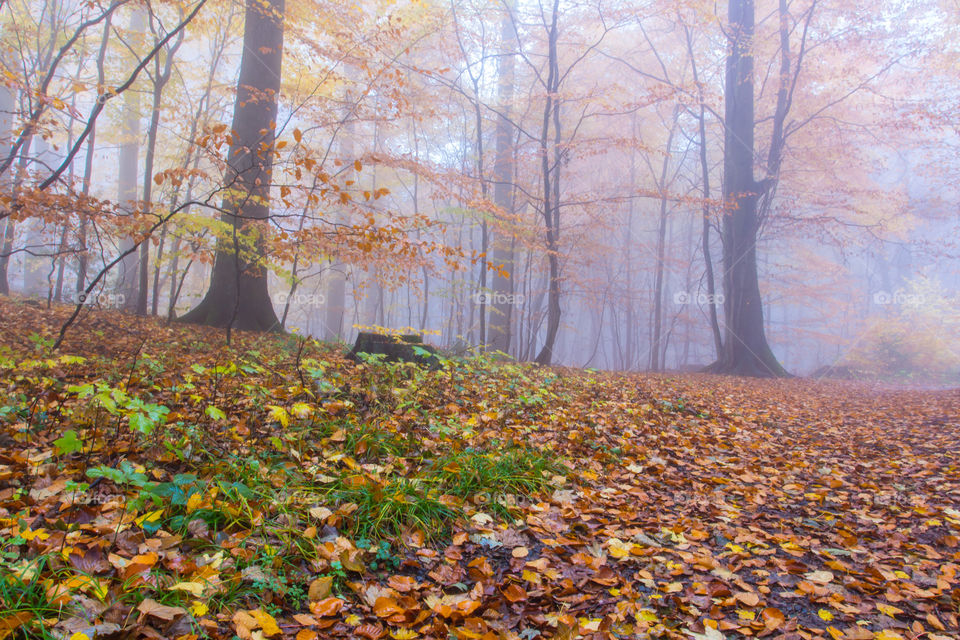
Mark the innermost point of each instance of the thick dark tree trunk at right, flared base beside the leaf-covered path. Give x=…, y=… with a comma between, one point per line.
x=745, y=348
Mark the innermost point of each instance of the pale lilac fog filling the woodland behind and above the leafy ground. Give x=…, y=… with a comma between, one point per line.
x=553, y=180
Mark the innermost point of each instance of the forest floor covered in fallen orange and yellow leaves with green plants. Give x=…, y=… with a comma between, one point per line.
x=157, y=483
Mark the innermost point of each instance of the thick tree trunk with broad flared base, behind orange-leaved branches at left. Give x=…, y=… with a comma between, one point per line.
x=238, y=296
